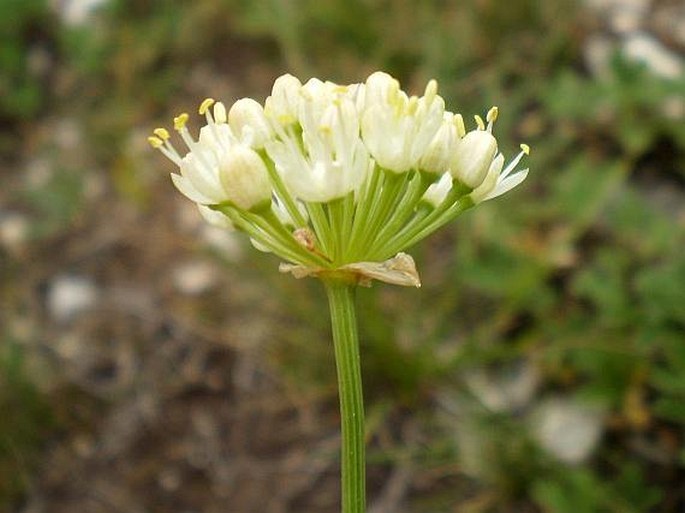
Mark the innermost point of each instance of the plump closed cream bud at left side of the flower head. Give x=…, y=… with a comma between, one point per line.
x=245, y=178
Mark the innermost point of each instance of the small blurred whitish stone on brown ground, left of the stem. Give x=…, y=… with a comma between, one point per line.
x=70, y=296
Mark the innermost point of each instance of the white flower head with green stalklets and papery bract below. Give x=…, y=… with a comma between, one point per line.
x=339, y=179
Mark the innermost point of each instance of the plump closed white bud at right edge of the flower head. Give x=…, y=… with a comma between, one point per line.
x=473, y=156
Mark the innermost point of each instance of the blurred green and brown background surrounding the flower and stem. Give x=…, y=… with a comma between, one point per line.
x=151, y=363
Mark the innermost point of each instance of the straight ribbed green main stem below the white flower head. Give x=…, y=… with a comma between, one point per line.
x=344, y=322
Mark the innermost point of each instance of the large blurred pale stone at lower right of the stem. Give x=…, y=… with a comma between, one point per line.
x=567, y=429
